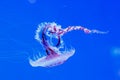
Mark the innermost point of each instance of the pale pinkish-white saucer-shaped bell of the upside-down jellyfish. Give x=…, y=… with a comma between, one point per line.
x=52, y=59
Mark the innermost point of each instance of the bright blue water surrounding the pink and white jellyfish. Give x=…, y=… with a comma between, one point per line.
x=97, y=56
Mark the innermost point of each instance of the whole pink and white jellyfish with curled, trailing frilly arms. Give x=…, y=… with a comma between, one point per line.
x=54, y=53
